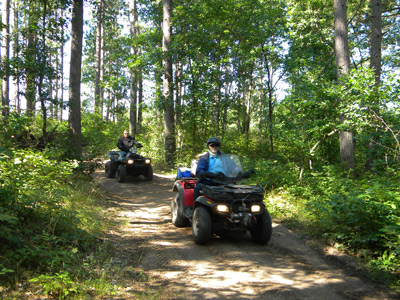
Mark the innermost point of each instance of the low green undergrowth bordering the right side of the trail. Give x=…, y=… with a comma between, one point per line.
x=359, y=215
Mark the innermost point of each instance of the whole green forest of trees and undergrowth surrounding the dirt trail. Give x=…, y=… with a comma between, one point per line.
x=306, y=92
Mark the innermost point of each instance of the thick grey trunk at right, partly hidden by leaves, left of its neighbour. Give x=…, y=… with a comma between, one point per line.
x=343, y=68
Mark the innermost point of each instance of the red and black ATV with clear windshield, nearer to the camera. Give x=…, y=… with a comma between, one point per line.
x=224, y=206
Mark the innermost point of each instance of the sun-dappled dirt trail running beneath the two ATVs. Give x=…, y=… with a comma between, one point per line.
x=227, y=268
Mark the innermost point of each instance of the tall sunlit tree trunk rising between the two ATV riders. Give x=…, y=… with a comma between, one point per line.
x=169, y=127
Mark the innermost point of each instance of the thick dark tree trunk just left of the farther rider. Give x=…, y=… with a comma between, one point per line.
x=75, y=76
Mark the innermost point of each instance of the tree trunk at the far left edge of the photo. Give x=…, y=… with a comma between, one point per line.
x=5, y=58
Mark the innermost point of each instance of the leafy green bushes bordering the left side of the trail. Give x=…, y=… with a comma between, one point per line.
x=48, y=222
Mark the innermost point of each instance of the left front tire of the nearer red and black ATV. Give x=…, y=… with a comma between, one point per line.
x=201, y=226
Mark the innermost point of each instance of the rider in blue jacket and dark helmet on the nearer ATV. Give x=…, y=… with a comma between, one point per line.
x=206, y=164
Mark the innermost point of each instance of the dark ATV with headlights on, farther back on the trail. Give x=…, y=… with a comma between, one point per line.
x=132, y=164
